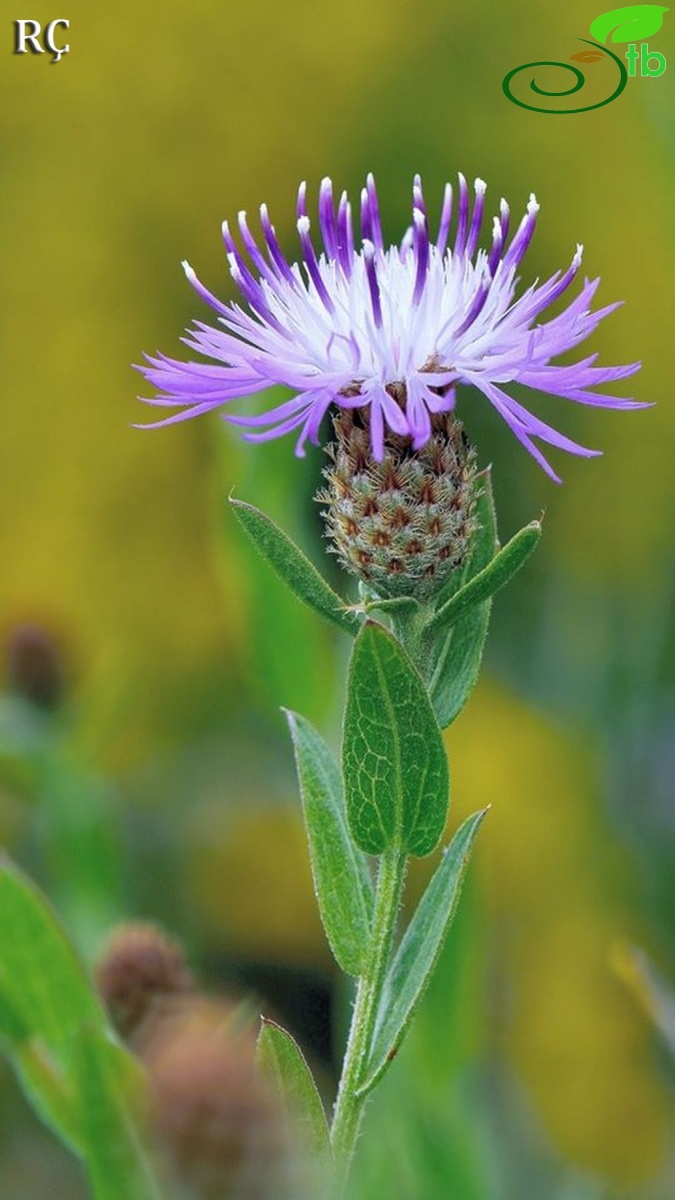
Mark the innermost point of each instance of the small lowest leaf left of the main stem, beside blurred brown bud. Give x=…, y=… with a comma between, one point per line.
x=283, y=1064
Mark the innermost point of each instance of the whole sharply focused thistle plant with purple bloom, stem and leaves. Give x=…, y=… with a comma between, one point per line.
x=377, y=340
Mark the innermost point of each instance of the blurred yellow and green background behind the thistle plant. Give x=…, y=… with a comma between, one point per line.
x=145, y=765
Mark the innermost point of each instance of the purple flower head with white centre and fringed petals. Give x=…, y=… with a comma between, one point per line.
x=391, y=328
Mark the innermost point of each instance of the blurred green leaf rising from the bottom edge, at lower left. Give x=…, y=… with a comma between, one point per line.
x=116, y=1162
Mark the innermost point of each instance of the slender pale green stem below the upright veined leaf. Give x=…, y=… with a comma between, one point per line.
x=349, y=1106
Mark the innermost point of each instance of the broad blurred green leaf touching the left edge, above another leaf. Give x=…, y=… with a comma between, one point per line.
x=45, y=1000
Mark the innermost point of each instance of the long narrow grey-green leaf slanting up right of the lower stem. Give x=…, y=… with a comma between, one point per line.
x=420, y=951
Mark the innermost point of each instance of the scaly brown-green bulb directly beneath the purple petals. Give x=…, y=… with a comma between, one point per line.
x=404, y=524
